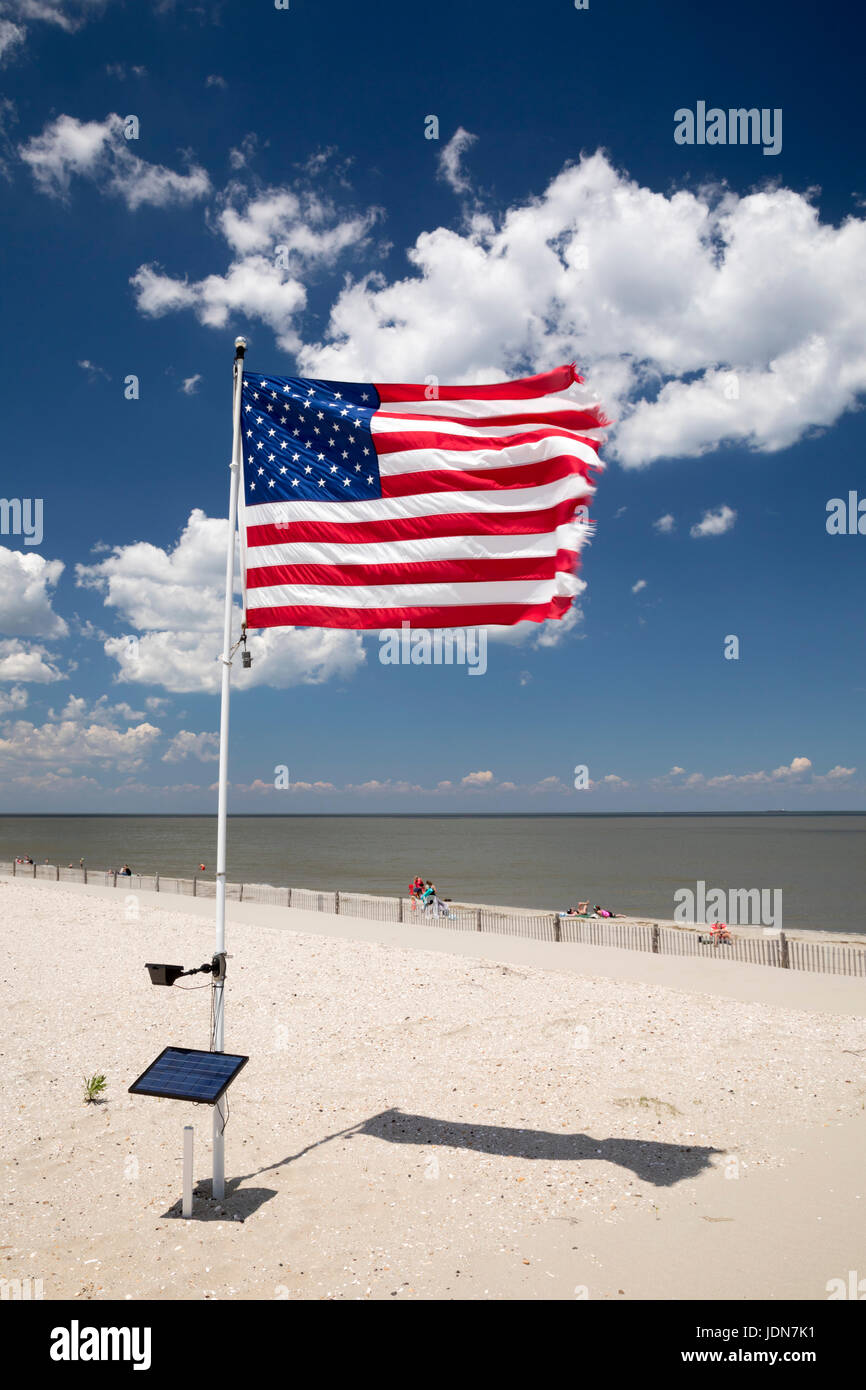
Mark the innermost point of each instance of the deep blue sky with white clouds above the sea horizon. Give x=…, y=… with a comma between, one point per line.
x=712, y=297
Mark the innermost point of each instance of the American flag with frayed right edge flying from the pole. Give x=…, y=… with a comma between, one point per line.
x=369, y=505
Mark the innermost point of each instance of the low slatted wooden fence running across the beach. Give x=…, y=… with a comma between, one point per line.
x=779, y=950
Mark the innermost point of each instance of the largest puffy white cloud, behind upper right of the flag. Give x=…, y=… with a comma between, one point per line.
x=664, y=298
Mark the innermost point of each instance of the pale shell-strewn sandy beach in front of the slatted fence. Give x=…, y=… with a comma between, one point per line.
x=426, y=1114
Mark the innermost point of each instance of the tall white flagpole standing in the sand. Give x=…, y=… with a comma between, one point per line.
x=219, y=1035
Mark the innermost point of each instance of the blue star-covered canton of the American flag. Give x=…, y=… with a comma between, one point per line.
x=307, y=439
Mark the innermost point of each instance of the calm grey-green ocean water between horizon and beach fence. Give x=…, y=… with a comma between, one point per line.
x=629, y=864
